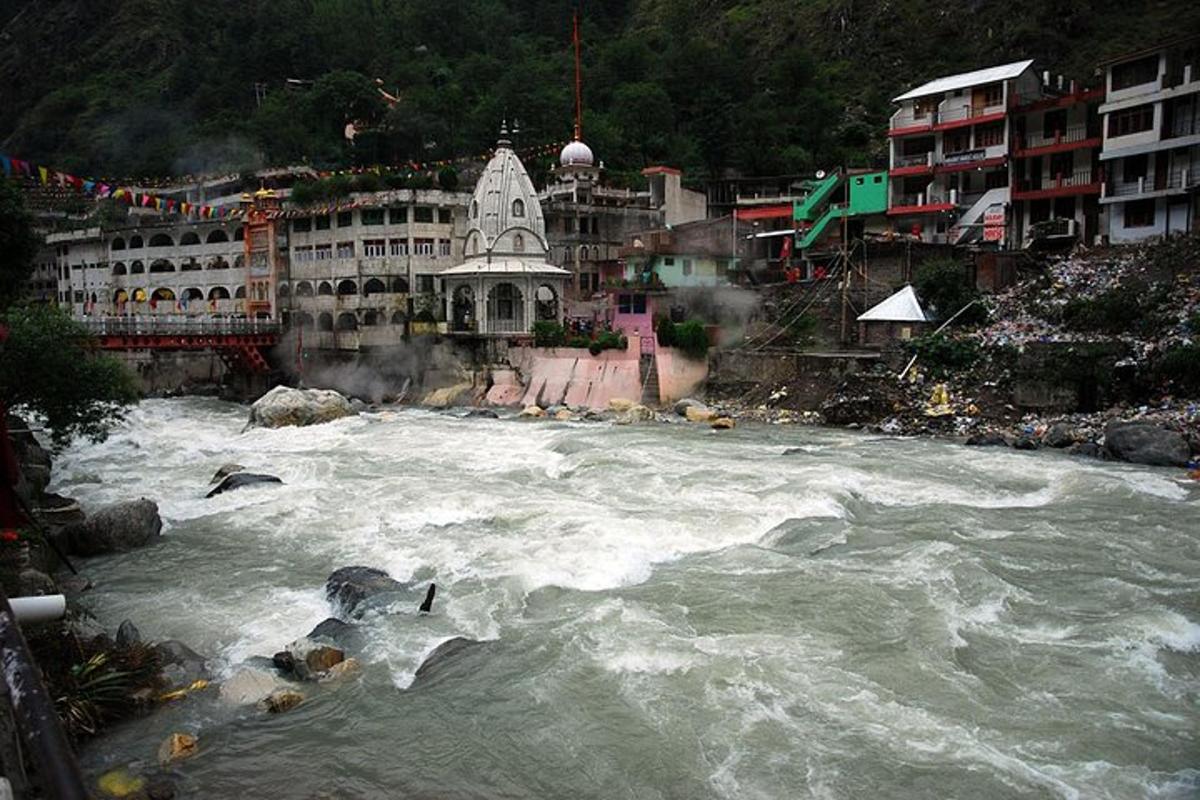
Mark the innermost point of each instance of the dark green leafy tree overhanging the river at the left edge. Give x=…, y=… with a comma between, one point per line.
x=49, y=364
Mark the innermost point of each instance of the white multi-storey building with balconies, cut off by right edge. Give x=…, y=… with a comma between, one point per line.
x=1153, y=142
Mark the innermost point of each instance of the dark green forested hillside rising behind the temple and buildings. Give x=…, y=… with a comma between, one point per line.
x=763, y=87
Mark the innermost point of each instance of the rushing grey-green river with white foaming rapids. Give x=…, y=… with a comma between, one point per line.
x=671, y=612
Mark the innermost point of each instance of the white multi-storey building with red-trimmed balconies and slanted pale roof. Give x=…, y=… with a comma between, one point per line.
x=950, y=146
